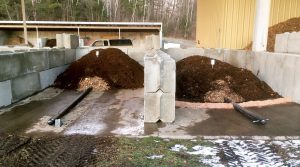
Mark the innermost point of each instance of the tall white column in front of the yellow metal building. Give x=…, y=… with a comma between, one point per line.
x=261, y=25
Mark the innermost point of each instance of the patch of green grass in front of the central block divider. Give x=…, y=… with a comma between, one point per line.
x=134, y=152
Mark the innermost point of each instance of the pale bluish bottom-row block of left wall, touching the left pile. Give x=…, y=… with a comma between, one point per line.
x=48, y=77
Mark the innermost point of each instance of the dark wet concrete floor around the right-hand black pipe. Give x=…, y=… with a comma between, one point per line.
x=284, y=121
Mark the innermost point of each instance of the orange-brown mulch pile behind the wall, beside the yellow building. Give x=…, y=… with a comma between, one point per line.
x=286, y=26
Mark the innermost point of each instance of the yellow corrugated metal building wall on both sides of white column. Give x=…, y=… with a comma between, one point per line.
x=229, y=23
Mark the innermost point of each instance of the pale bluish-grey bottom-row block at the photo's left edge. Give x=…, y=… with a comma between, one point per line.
x=5, y=95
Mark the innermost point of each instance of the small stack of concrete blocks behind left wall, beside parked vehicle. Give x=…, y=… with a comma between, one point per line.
x=68, y=41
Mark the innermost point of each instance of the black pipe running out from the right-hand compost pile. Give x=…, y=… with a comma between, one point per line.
x=250, y=115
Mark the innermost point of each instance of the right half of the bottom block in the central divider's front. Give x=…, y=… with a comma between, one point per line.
x=167, y=107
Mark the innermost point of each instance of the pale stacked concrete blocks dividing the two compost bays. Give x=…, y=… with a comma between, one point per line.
x=160, y=86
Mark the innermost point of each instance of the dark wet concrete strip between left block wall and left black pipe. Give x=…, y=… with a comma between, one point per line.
x=22, y=117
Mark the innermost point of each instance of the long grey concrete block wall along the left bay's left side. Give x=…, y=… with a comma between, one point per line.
x=24, y=73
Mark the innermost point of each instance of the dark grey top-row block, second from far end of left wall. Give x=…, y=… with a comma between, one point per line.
x=56, y=58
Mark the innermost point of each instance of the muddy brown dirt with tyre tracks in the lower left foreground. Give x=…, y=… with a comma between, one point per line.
x=55, y=151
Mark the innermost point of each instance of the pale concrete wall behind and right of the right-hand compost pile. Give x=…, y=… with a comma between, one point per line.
x=278, y=70
